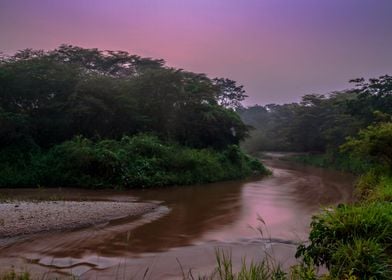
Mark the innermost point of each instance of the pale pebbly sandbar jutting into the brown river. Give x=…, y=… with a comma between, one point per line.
x=19, y=218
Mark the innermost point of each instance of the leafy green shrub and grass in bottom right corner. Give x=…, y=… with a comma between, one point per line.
x=333, y=231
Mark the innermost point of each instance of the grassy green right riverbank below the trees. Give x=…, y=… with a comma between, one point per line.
x=340, y=237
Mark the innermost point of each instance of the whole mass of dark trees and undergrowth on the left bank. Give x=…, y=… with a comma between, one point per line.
x=58, y=108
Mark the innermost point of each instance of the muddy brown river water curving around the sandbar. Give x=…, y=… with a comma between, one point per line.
x=187, y=228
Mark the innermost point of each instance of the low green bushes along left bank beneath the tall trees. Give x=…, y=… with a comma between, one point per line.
x=138, y=161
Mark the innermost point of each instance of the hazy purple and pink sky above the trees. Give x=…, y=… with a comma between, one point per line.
x=278, y=49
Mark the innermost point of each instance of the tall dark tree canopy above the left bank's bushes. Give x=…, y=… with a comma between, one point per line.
x=49, y=97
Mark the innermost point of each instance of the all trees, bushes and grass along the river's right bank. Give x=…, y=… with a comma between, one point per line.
x=352, y=131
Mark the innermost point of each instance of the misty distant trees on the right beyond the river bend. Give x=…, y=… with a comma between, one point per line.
x=319, y=123
